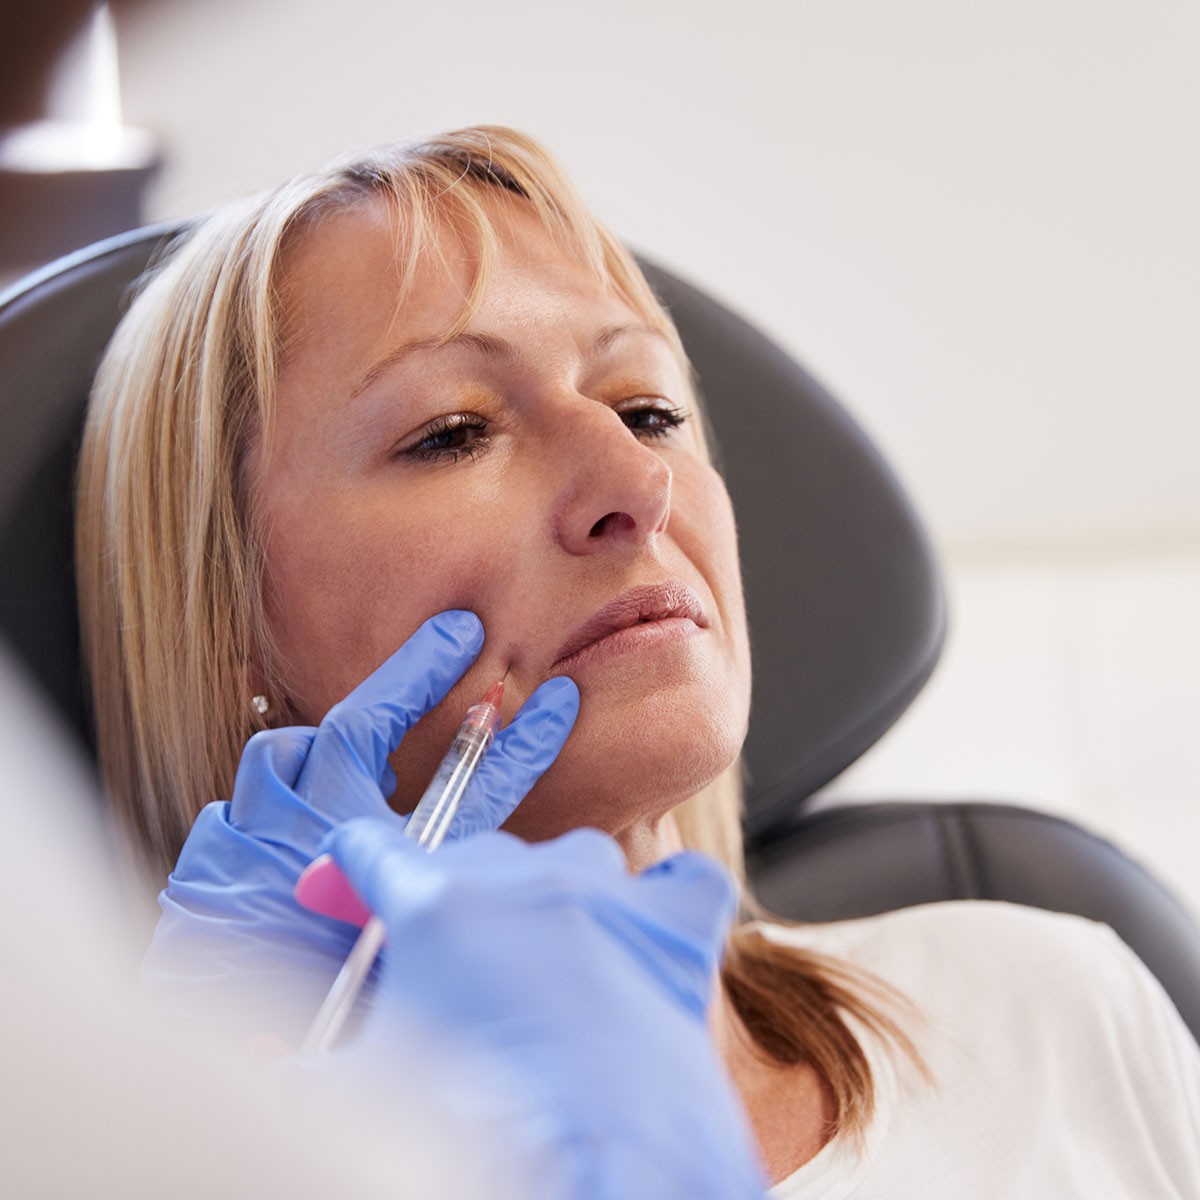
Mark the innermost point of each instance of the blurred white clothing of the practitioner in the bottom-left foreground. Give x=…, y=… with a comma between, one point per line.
x=103, y=1096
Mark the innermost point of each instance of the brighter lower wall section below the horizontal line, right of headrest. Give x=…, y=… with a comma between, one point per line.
x=1067, y=687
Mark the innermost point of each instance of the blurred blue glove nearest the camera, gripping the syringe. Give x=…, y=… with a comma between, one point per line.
x=567, y=1000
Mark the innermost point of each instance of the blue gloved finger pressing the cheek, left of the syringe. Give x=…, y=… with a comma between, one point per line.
x=347, y=772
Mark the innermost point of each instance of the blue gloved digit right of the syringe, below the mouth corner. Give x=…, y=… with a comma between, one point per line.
x=523, y=751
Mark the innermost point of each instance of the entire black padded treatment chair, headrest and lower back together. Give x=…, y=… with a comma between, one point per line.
x=847, y=616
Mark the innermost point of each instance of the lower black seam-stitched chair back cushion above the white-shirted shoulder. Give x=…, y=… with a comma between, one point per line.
x=863, y=860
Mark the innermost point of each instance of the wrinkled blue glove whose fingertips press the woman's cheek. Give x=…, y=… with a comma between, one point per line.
x=232, y=941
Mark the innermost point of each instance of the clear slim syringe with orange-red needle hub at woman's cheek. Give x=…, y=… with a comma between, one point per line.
x=429, y=824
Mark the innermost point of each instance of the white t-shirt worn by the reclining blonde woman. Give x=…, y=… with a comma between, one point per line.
x=1061, y=1067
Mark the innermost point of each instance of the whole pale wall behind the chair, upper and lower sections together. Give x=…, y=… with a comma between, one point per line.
x=976, y=223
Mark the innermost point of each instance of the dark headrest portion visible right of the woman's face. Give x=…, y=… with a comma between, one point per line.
x=843, y=592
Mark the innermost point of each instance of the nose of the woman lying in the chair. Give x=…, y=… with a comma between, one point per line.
x=616, y=489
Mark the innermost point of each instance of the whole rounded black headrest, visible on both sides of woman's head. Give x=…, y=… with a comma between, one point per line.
x=843, y=592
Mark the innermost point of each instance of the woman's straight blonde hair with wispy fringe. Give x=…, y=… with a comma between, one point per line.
x=171, y=565
